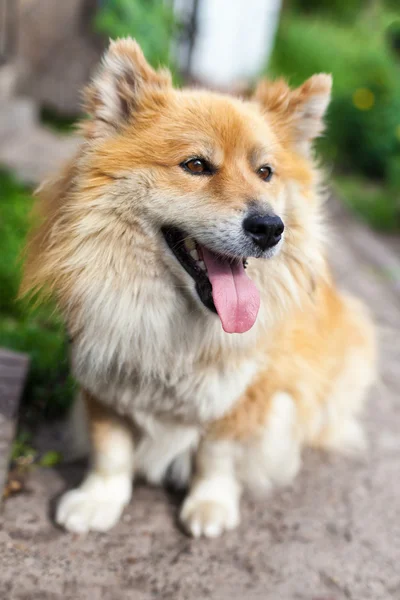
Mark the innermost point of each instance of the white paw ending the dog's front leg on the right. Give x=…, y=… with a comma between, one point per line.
x=209, y=517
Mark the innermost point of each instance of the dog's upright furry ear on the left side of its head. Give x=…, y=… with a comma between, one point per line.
x=119, y=87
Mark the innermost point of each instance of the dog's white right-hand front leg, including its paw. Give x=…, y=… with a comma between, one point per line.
x=212, y=505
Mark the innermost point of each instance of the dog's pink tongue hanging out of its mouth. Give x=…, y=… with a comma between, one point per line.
x=235, y=296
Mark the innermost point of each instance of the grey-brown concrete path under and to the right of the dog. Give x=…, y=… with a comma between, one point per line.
x=334, y=535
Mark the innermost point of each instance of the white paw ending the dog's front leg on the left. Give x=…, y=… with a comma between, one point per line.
x=96, y=506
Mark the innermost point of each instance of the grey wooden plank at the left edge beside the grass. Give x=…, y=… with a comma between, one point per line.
x=13, y=371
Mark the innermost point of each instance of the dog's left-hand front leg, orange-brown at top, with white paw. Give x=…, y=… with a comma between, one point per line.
x=99, y=501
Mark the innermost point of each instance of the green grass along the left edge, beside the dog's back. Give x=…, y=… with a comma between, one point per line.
x=38, y=332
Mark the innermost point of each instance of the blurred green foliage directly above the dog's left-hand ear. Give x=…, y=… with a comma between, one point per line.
x=151, y=22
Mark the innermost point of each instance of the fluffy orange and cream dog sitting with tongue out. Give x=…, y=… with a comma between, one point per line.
x=185, y=247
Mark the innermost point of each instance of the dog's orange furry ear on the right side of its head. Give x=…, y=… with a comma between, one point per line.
x=300, y=111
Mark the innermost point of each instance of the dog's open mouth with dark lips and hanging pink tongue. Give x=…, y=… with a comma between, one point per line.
x=221, y=283
